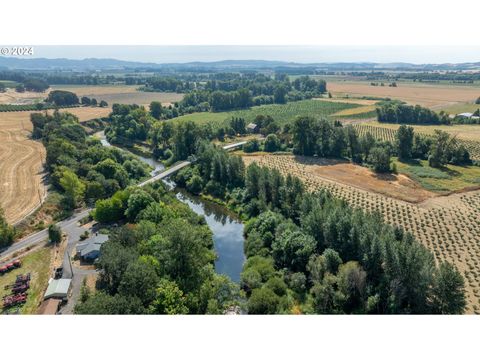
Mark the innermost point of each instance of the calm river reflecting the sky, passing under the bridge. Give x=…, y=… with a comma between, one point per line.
x=227, y=229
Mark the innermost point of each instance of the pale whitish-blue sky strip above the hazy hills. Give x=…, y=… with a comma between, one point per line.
x=301, y=54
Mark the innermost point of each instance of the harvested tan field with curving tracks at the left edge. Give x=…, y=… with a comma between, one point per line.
x=21, y=186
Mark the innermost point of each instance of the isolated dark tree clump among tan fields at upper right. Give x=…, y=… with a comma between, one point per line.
x=406, y=114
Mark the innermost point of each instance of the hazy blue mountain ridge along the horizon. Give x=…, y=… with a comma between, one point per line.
x=27, y=64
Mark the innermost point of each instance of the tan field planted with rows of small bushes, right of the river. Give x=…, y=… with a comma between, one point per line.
x=447, y=225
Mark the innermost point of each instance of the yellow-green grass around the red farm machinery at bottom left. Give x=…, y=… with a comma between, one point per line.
x=38, y=264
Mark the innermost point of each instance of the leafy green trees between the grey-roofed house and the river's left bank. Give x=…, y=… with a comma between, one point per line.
x=160, y=263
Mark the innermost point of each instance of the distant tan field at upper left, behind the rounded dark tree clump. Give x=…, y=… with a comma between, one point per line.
x=121, y=94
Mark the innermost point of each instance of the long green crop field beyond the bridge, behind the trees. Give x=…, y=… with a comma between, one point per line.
x=281, y=113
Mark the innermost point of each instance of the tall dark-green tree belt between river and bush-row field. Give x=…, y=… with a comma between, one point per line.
x=314, y=254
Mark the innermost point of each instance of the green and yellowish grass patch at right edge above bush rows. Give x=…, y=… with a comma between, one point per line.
x=450, y=178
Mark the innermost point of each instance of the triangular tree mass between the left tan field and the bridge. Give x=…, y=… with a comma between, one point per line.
x=80, y=167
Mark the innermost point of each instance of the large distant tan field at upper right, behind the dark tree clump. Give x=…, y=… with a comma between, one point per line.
x=431, y=96
